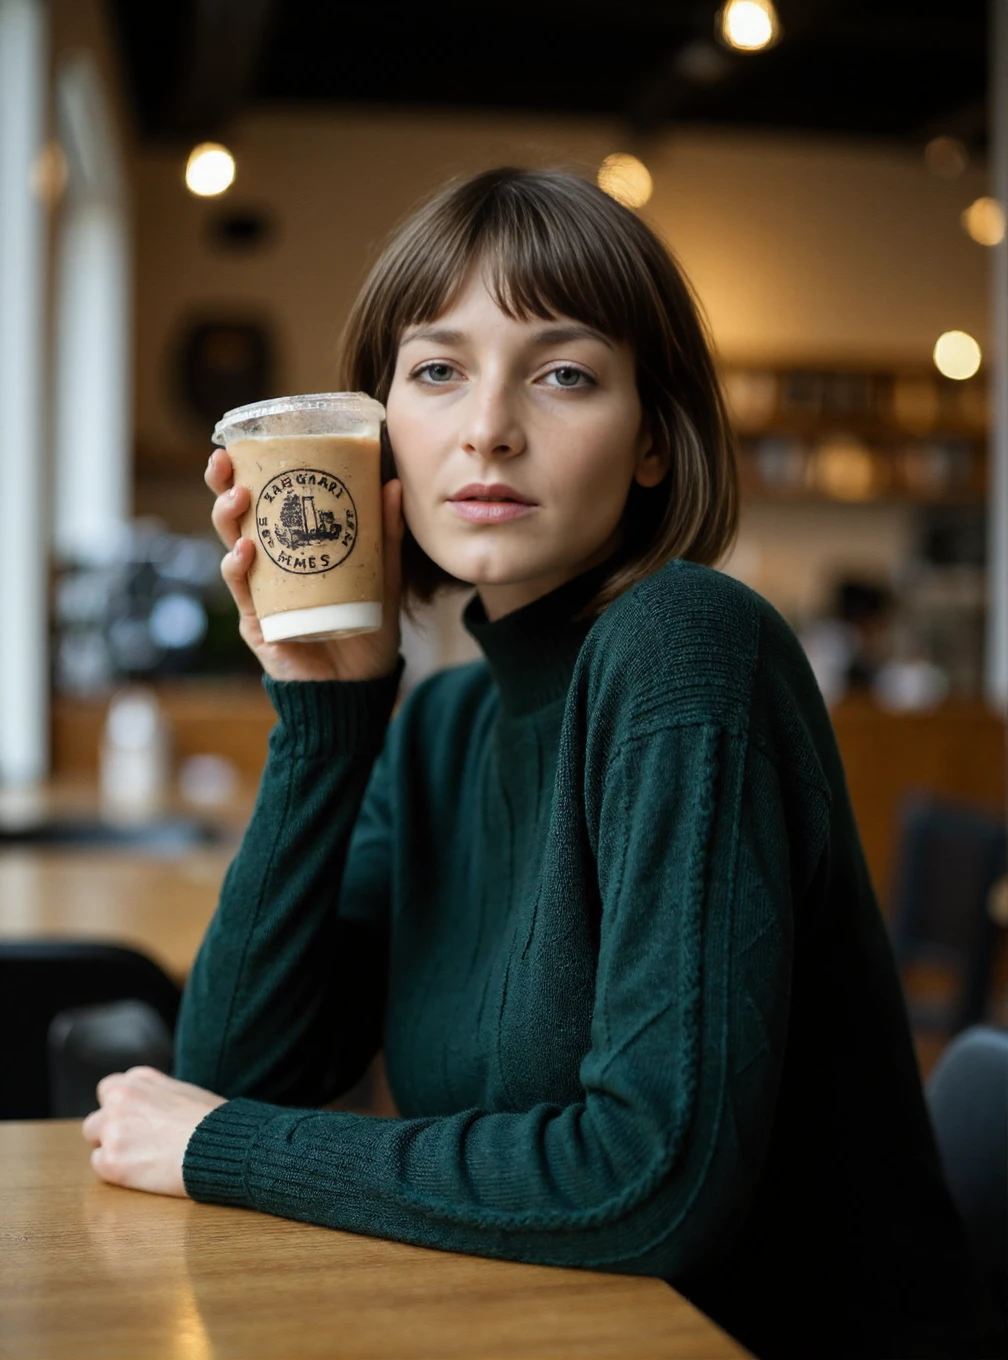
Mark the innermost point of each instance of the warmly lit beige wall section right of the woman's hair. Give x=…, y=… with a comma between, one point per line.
x=807, y=251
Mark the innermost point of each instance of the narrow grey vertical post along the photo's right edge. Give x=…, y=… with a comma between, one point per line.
x=998, y=520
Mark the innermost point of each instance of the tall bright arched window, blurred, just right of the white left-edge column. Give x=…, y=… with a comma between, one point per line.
x=93, y=456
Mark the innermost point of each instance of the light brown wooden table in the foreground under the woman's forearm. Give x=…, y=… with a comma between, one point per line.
x=90, y=1272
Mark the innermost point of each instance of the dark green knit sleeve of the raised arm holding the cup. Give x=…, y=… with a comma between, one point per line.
x=288, y=993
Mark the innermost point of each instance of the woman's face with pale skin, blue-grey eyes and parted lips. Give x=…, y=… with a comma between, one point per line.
x=546, y=411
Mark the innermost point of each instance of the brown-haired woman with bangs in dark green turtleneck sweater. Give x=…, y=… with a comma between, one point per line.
x=601, y=898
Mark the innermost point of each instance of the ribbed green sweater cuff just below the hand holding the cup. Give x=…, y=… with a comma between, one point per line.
x=327, y=717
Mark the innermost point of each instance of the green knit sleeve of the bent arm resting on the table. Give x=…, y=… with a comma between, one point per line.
x=651, y=1170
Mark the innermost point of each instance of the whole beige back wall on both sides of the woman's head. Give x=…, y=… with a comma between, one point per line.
x=799, y=250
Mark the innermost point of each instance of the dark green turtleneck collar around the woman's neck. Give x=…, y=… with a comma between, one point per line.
x=531, y=652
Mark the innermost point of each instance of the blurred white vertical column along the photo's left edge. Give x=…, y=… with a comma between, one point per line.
x=24, y=538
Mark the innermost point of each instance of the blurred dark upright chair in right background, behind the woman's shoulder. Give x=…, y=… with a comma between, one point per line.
x=950, y=857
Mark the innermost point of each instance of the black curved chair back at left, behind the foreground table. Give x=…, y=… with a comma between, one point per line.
x=39, y=980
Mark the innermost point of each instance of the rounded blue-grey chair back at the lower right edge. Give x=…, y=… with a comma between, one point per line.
x=968, y=1097
